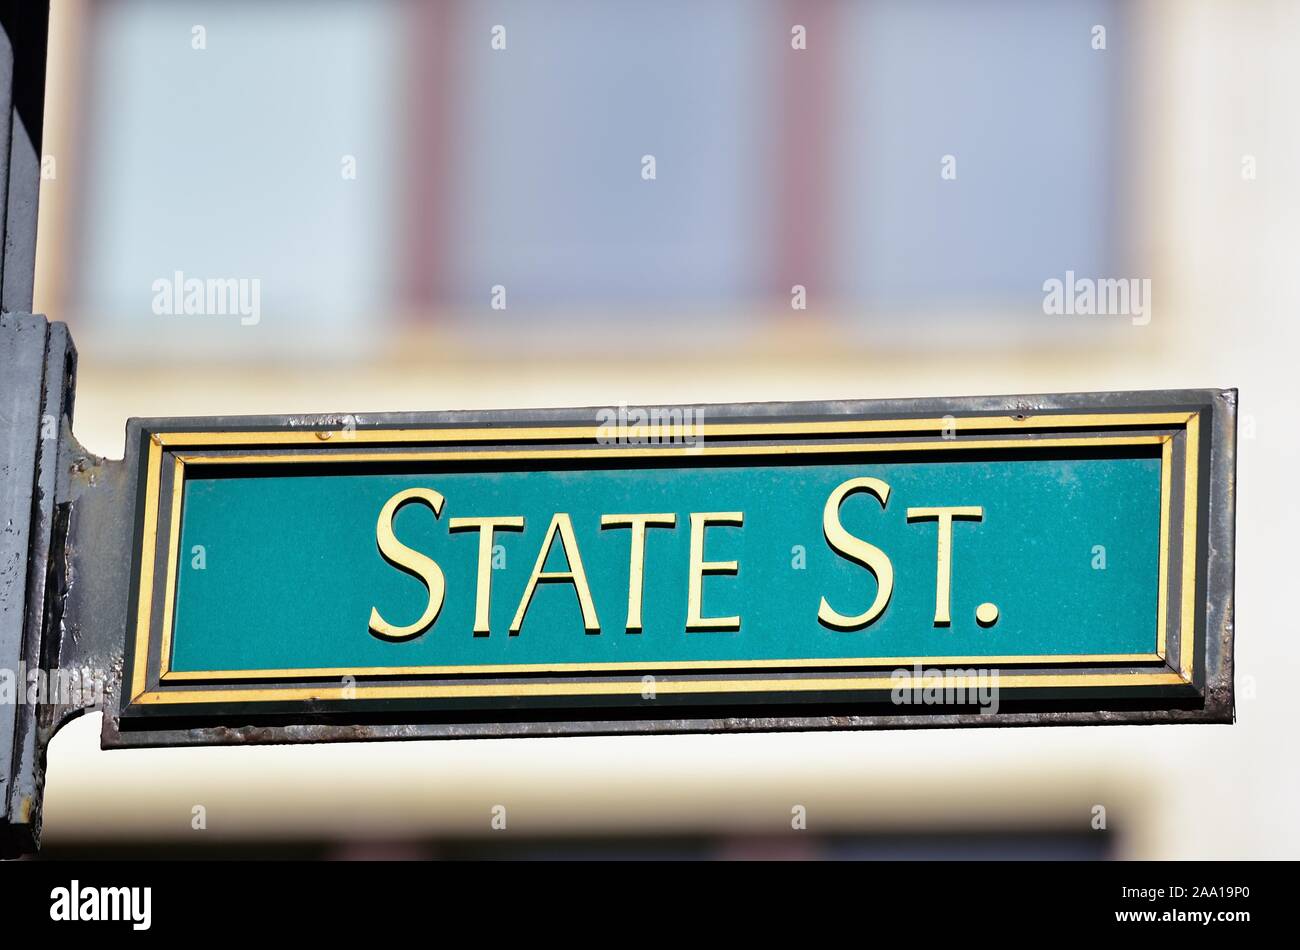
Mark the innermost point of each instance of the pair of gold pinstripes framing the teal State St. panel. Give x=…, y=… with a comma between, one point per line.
x=536, y=433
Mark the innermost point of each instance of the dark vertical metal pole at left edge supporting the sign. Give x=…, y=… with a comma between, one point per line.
x=36, y=394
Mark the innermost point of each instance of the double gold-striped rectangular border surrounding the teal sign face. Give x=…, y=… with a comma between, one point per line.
x=162, y=489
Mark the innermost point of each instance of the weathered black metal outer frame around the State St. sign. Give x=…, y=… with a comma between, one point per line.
x=1208, y=699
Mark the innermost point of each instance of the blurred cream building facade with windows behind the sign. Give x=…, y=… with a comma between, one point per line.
x=571, y=203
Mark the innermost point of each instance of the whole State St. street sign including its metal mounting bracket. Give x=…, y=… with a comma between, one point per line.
x=1011, y=561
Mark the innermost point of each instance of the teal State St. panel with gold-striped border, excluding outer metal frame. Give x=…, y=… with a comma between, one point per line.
x=431, y=565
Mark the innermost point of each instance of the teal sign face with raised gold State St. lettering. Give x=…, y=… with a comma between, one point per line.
x=285, y=572
